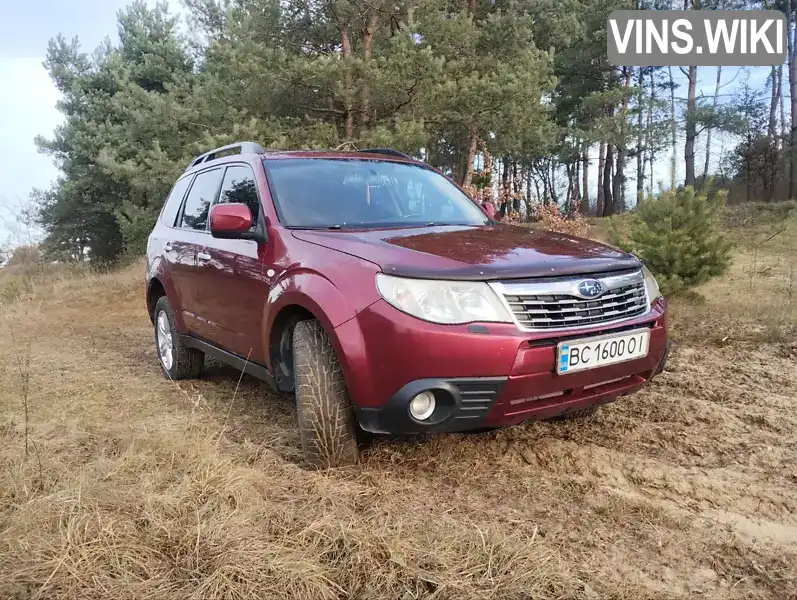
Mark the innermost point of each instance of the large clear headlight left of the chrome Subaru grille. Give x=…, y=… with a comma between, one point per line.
x=445, y=302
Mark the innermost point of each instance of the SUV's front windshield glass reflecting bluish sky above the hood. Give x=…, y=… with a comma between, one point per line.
x=338, y=193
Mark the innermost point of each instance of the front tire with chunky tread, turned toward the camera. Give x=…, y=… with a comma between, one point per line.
x=326, y=421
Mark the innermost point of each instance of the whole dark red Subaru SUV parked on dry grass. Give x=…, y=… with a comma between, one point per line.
x=371, y=286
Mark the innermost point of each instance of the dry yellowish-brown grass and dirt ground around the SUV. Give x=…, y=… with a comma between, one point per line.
x=134, y=487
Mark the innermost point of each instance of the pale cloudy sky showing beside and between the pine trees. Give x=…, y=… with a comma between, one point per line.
x=28, y=97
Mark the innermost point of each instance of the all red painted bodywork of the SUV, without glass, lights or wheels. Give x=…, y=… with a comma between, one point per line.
x=231, y=292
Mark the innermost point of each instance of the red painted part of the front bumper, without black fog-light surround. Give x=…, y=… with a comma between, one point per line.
x=383, y=349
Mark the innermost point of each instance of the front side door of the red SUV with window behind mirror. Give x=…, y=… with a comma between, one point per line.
x=233, y=299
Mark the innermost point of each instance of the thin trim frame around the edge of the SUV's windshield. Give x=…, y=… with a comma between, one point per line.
x=267, y=163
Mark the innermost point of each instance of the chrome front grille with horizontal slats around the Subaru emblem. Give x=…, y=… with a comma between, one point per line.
x=556, y=304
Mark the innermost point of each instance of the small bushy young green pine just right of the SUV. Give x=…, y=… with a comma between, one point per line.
x=677, y=236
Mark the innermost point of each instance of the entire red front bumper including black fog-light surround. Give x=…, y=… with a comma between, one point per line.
x=486, y=376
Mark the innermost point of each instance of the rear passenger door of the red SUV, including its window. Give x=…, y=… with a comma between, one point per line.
x=192, y=236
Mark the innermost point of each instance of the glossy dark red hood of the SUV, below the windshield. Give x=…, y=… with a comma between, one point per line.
x=473, y=253
